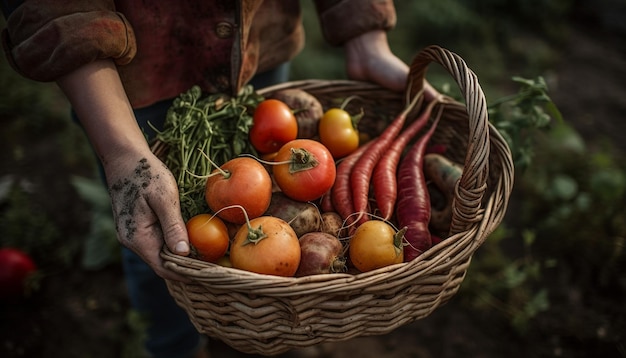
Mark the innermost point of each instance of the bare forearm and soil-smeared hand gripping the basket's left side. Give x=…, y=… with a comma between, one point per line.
x=143, y=191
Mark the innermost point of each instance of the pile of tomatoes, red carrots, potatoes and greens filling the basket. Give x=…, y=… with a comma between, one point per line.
x=279, y=186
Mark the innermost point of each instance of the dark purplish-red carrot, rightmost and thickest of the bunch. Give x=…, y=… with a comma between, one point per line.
x=413, y=206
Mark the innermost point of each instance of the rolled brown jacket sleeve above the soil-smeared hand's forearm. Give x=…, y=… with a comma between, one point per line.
x=47, y=39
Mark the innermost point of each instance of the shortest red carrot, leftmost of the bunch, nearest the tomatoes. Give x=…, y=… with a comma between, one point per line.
x=341, y=195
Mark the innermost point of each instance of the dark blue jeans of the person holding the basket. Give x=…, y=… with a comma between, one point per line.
x=170, y=334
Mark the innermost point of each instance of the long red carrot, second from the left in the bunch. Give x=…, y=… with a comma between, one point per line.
x=362, y=172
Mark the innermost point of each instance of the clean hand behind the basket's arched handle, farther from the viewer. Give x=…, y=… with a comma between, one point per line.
x=369, y=58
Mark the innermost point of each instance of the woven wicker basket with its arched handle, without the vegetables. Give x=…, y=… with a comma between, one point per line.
x=269, y=315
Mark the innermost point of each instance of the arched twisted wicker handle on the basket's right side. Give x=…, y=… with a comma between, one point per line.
x=473, y=183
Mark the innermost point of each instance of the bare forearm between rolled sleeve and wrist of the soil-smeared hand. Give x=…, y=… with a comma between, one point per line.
x=97, y=95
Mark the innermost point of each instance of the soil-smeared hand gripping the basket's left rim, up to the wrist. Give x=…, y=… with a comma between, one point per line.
x=146, y=209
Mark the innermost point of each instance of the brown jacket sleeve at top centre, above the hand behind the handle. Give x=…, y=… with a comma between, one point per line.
x=342, y=20
